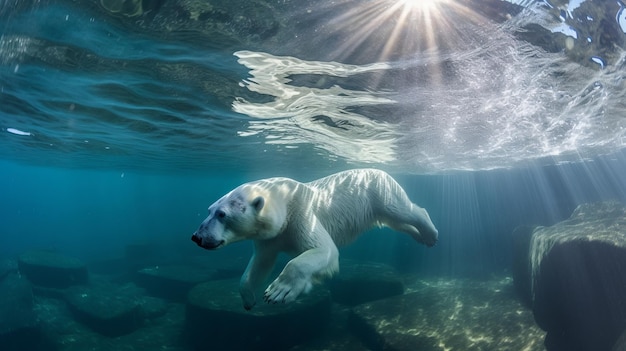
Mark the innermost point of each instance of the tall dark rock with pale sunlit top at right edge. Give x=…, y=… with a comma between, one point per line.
x=578, y=281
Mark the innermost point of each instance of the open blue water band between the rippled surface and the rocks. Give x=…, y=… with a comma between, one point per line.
x=95, y=214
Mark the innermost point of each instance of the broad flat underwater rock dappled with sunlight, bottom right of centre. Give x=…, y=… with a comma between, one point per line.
x=448, y=315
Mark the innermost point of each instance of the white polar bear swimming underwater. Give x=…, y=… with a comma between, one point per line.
x=308, y=221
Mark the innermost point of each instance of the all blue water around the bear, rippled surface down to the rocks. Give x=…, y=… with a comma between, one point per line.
x=120, y=128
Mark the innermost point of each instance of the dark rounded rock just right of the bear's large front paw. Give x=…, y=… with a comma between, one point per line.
x=359, y=282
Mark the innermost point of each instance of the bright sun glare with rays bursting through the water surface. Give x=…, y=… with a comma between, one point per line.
x=398, y=29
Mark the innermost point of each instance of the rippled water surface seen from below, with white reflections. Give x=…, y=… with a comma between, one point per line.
x=430, y=88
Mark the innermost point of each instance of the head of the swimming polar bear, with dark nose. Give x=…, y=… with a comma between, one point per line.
x=250, y=211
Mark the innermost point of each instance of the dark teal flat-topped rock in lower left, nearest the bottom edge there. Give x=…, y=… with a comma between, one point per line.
x=108, y=309
